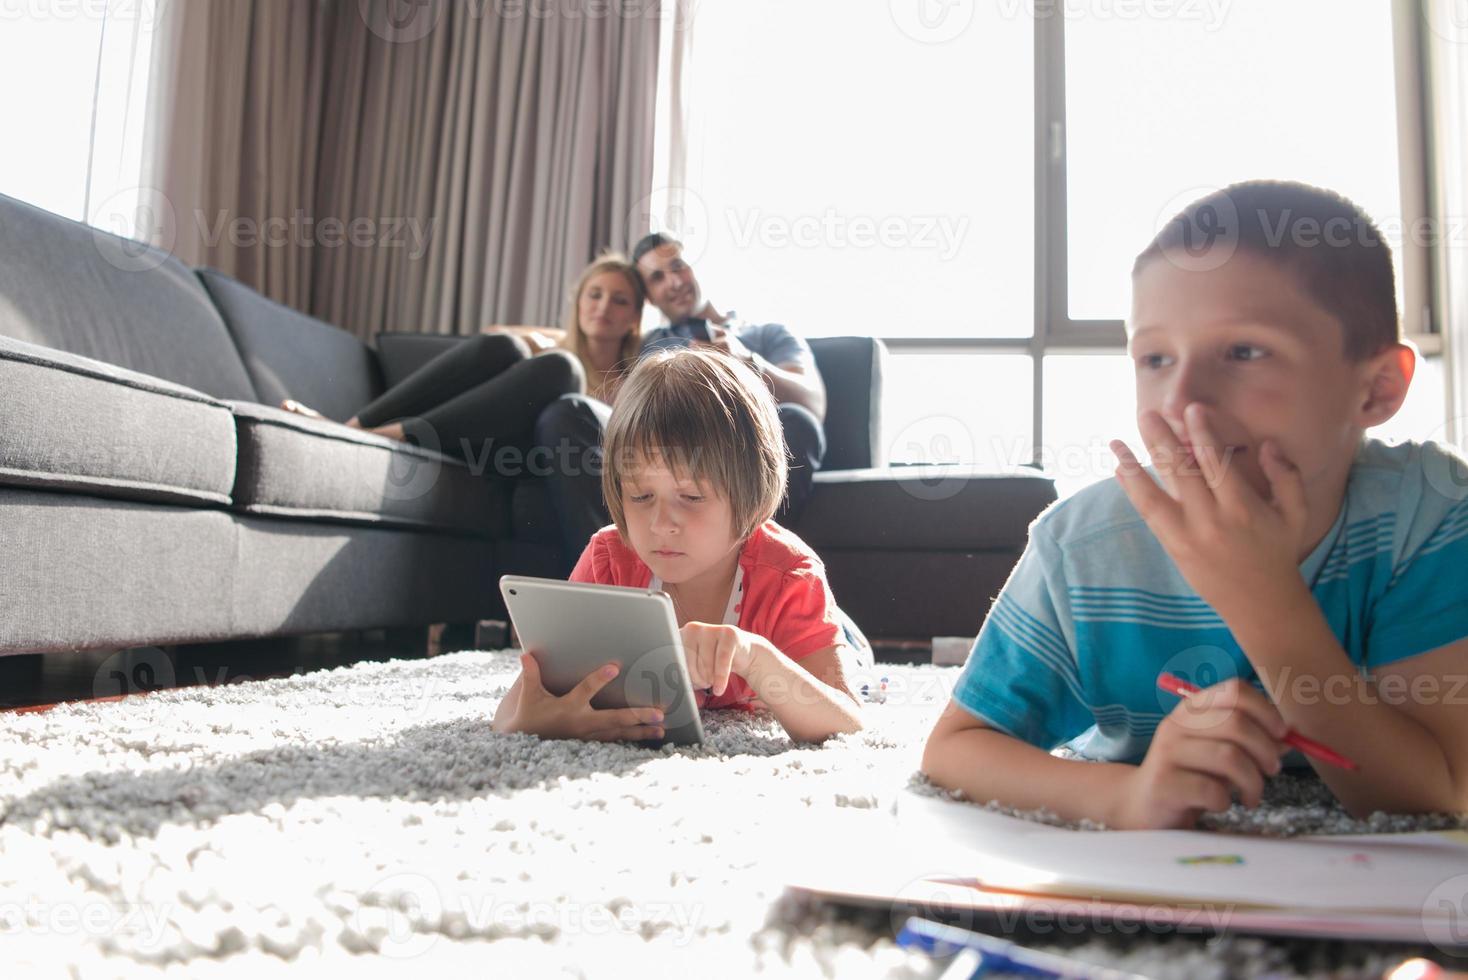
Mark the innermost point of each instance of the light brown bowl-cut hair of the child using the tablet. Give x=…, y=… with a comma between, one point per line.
x=705, y=416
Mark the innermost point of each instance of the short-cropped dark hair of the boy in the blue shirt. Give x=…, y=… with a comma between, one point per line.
x=1326, y=241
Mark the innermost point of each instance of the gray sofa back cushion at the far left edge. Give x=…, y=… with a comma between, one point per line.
x=74, y=288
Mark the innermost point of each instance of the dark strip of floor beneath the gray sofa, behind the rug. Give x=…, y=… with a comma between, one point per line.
x=37, y=681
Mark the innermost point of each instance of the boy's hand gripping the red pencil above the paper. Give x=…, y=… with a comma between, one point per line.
x=1221, y=743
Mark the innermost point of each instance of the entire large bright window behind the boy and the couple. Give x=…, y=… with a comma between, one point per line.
x=971, y=184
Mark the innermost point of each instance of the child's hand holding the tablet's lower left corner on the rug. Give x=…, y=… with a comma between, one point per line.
x=529, y=708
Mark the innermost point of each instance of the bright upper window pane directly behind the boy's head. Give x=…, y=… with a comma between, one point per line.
x=1160, y=111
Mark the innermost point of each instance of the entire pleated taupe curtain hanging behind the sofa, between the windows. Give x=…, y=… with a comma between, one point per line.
x=434, y=167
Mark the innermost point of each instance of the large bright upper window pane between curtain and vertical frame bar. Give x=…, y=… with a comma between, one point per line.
x=846, y=177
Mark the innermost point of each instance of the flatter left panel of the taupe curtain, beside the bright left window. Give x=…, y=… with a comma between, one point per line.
x=231, y=142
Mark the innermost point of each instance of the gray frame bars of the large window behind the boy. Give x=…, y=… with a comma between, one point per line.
x=1056, y=332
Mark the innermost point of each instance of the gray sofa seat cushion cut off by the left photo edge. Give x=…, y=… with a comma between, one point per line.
x=71, y=423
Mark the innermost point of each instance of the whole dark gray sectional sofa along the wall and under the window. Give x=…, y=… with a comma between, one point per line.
x=150, y=494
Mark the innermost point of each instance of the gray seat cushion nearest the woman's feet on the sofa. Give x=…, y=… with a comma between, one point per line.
x=306, y=469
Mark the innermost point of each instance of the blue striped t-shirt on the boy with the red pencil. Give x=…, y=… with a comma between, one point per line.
x=1096, y=610
